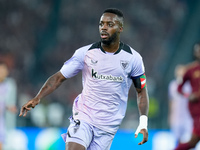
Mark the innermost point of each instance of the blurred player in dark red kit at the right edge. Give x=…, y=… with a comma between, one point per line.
x=193, y=76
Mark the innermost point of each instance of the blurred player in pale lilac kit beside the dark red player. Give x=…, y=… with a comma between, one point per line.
x=180, y=120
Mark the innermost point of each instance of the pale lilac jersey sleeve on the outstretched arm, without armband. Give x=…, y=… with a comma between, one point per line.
x=74, y=65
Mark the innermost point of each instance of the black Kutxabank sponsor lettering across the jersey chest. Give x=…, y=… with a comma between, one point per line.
x=106, y=77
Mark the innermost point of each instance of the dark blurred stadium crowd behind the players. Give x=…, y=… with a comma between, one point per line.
x=37, y=37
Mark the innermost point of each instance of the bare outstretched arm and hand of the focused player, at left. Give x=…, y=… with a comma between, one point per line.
x=52, y=83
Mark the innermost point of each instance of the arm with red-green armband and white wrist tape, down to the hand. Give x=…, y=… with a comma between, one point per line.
x=143, y=106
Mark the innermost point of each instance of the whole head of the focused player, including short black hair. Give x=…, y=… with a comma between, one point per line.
x=111, y=25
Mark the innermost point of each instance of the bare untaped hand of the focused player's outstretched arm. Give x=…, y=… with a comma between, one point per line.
x=27, y=107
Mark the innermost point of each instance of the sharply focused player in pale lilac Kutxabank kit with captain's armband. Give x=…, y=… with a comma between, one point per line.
x=108, y=69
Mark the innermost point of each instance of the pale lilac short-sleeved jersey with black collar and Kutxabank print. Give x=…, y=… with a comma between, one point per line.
x=106, y=83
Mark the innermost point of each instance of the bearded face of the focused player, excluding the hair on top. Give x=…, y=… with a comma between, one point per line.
x=109, y=28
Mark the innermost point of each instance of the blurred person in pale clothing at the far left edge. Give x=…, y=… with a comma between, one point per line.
x=7, y=102
